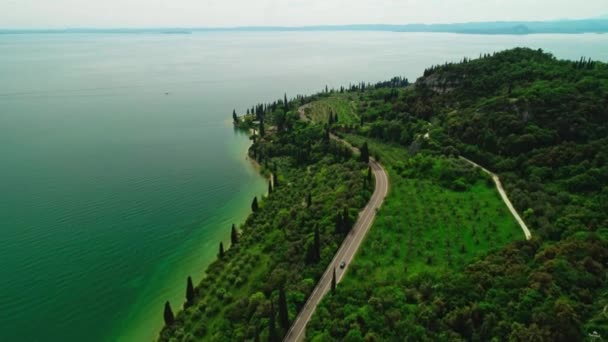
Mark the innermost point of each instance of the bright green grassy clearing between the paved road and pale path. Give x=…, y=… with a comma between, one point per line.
x=424, y=226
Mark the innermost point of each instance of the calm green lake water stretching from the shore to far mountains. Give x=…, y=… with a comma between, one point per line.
x=120, y=171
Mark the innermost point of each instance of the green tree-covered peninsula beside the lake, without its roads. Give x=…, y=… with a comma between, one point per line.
x=445, y=259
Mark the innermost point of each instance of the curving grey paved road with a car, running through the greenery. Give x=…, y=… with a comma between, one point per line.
x=346, y=253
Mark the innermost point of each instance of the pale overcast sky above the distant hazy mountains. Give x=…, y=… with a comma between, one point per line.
x=147, y=13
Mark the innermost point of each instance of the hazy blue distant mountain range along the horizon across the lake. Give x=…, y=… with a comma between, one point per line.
x=596, y=25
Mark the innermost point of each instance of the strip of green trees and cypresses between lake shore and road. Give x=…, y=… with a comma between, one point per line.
x=273, y=261
